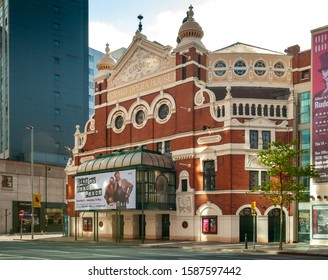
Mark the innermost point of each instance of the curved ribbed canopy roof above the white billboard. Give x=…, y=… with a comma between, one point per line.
x=127, y=159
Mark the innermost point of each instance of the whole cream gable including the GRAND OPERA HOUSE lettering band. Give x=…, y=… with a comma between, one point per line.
x=144, y=66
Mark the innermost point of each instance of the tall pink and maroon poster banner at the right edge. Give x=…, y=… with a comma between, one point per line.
x=320, y=103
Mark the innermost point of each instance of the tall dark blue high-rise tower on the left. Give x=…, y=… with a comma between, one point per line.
x=44, y=77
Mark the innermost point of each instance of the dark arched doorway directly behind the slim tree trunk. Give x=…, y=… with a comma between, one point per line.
x=274, y=226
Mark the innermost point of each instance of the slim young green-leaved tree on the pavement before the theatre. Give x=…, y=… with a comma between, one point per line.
x=284, y=185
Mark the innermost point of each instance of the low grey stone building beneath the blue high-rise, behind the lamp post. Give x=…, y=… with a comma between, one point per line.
x=16, y=189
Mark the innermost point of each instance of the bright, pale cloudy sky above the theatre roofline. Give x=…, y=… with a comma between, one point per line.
x=273, y=25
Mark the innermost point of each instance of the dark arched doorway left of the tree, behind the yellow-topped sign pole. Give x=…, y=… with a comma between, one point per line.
x=246, y=225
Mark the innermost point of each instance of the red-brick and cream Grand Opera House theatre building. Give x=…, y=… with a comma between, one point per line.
x=170, y=151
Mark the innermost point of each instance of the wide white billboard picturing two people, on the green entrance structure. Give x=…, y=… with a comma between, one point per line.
x=103, y=191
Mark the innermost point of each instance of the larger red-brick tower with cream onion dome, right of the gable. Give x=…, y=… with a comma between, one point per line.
x=190, y=51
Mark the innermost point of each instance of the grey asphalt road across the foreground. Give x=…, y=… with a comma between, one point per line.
x=89, y=251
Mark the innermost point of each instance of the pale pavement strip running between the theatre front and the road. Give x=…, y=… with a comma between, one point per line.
x=293, y=248
